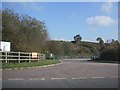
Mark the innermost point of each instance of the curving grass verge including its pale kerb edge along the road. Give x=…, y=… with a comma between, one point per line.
x=41, y=64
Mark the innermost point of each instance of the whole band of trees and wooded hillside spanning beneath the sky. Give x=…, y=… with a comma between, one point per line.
x=30, y=35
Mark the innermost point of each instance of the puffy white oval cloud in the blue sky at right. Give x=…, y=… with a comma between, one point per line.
x=100, y=21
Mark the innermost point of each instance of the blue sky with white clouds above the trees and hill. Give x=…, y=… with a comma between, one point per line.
x=64, y=20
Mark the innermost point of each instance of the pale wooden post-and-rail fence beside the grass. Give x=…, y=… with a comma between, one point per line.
x=20, y=57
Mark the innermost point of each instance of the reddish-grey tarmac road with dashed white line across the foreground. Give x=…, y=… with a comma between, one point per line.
x=69, y=74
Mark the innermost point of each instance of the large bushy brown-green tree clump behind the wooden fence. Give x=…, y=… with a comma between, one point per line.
x=24, y=32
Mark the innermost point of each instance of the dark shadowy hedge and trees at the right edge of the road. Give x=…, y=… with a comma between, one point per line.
x=109, y=51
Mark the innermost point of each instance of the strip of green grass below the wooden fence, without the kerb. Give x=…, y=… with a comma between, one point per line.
x=27, y=64
